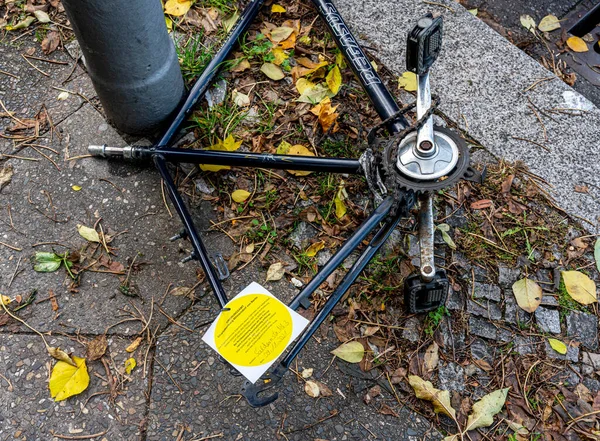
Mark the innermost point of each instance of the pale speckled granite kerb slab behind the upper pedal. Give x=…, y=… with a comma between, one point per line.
x=482, y=81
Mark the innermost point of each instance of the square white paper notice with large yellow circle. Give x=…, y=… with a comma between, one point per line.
x=253, y=330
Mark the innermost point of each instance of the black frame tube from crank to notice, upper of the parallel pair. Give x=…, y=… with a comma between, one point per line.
x=347, y=248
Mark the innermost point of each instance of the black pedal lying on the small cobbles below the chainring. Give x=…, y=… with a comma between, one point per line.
x=422, y=296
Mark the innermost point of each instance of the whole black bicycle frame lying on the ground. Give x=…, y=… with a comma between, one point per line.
x=162, y=153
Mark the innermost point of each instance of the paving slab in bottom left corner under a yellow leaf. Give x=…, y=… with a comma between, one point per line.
x=29, y=413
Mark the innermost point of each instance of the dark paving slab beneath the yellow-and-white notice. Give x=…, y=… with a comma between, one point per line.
x=208, y=402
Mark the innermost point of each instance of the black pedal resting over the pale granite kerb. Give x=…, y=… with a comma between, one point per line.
x=424, y=44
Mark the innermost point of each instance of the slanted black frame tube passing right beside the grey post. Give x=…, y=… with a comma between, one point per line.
x=209, y=73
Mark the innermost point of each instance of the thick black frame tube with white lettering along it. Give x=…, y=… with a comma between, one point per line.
x=380, y=96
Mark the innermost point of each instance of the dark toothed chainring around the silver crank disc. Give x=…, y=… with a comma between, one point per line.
x=395, y=180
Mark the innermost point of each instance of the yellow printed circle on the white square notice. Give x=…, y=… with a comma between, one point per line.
x=254, y=330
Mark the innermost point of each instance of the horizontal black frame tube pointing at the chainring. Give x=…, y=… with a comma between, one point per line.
x=247, y=159
